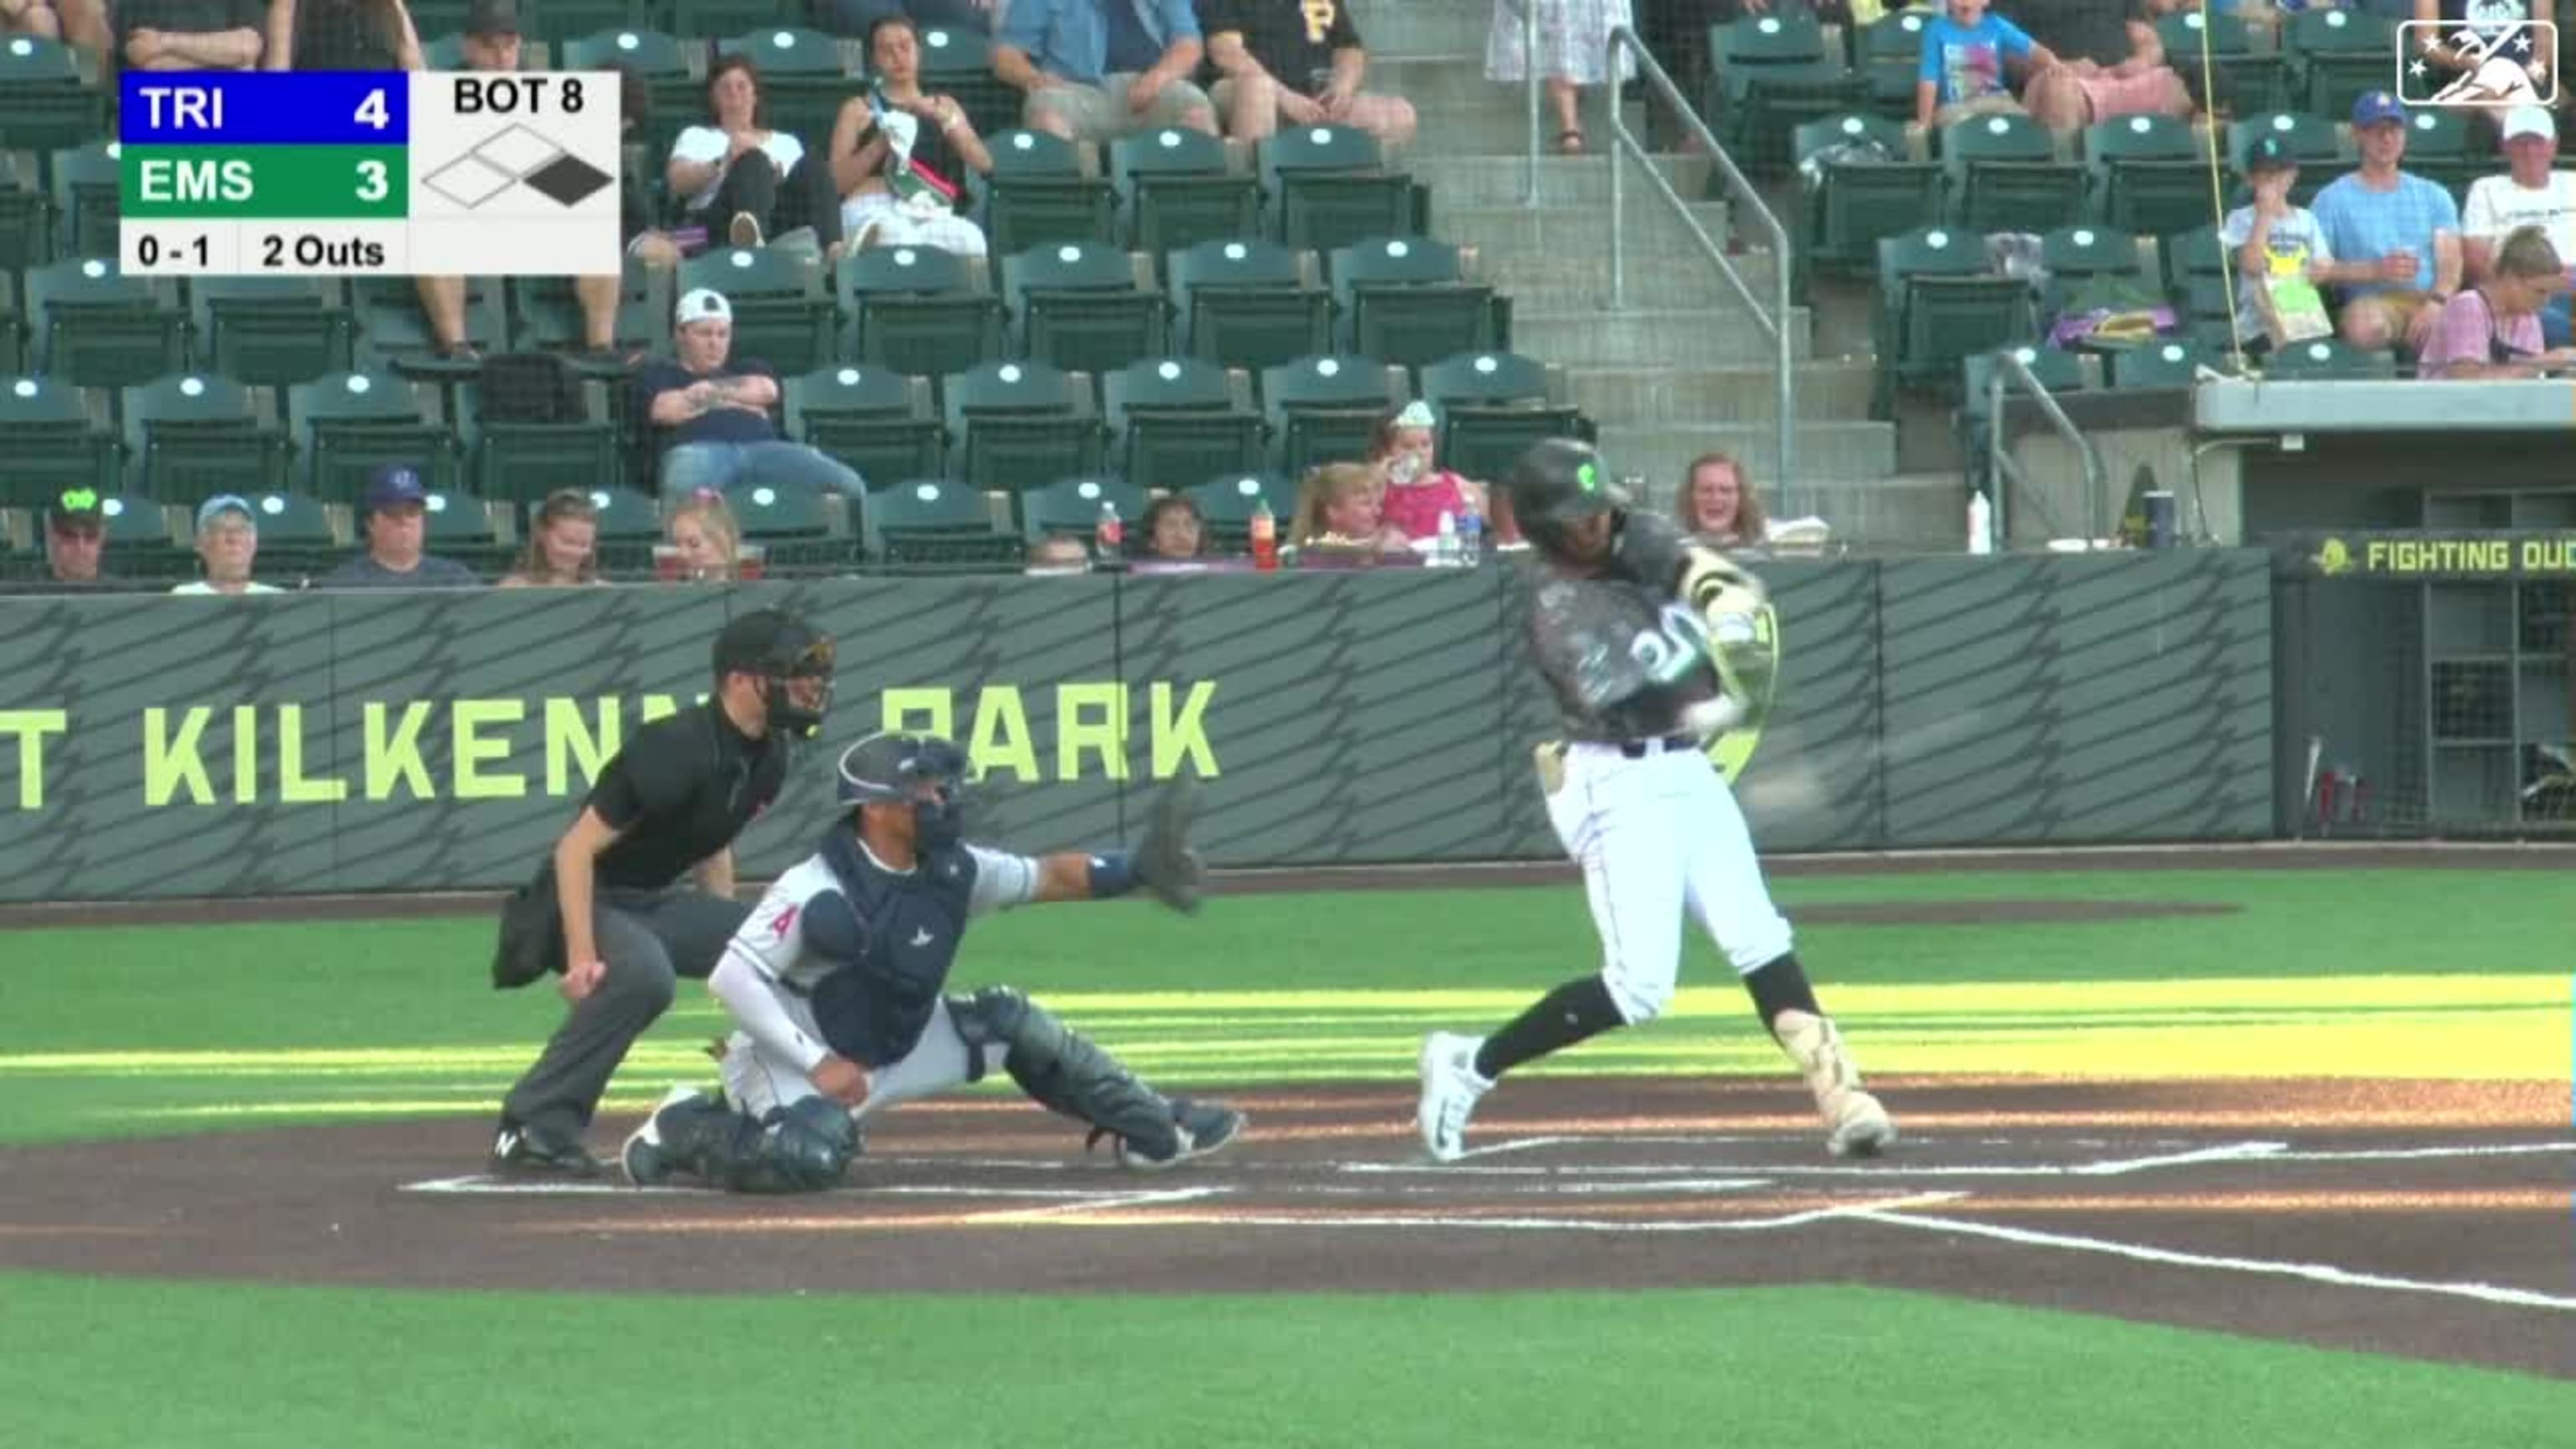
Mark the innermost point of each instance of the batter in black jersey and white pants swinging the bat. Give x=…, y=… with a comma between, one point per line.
x=1653, y=646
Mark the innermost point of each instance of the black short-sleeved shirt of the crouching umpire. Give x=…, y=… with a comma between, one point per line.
x=679, y=793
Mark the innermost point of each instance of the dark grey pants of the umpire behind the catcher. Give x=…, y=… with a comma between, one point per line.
x=648, y=940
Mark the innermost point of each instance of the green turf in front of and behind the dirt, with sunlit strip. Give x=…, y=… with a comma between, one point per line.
x=223, y=1027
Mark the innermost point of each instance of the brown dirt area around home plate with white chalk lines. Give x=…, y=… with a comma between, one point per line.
x=2412, y=1218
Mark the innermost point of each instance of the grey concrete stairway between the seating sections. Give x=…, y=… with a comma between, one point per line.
x=1683, y=367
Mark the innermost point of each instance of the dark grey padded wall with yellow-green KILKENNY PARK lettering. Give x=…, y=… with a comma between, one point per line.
x=439, y=741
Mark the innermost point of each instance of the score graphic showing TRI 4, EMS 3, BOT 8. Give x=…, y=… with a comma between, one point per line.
x=362, y=174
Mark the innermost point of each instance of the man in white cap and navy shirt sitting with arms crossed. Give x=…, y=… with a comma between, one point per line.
x=717, y=411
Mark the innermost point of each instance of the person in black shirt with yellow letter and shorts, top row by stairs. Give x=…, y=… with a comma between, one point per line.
x=1300, y=63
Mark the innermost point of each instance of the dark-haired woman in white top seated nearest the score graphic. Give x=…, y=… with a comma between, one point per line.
x=743, y=174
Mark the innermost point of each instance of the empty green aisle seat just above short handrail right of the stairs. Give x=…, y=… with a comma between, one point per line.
x=1936, y=308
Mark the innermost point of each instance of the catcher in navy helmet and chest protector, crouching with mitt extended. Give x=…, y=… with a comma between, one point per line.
x=838, y=978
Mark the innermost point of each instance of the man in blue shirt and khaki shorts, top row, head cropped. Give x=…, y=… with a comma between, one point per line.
x=1096, y=71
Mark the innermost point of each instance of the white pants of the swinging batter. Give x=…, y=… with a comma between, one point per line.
x=1660, y=837
